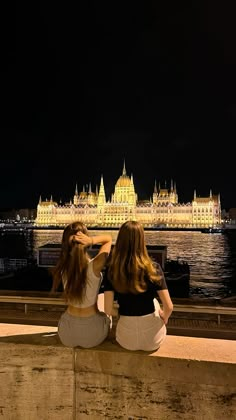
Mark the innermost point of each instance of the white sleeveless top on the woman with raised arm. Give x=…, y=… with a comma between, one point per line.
x=91, y=290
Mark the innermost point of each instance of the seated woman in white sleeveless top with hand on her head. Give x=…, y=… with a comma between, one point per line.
x=82, y=324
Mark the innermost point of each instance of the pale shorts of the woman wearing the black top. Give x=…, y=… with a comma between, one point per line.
x=141, y=332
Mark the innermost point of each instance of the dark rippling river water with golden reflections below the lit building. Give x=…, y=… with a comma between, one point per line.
x=211, y=257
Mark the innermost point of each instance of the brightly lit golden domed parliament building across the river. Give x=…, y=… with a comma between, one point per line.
x=162, y=210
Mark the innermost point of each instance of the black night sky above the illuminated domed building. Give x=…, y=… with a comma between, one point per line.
x=86, y=86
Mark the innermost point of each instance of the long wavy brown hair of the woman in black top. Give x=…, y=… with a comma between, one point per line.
x=130, y=263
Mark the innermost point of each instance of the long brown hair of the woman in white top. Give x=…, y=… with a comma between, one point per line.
x=72, y=264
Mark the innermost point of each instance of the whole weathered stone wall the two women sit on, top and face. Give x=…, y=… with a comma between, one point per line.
x=187, y=378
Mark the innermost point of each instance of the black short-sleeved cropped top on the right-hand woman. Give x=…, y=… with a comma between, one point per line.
x=131, y=304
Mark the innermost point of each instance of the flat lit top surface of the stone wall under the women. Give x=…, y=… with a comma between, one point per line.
x=182, y=347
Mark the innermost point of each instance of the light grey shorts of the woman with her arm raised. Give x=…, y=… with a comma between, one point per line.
x=85, y=332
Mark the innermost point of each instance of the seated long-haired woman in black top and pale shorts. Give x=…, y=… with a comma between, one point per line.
x=136, y=281
